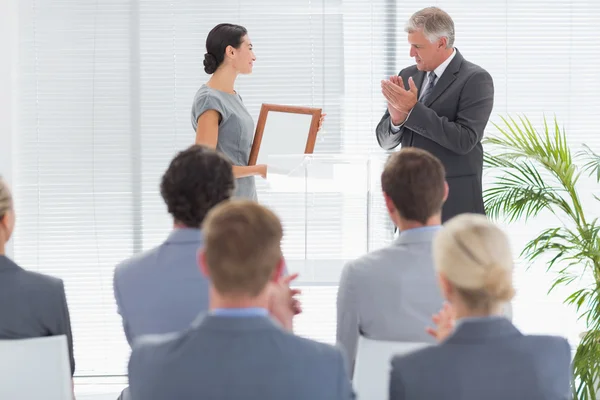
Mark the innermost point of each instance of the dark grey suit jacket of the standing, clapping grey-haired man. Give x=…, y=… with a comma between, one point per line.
x=450, y=125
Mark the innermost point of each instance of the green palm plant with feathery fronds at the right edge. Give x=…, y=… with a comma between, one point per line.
x=534, y=172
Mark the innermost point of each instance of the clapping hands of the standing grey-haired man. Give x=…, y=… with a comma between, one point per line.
x=400, y=100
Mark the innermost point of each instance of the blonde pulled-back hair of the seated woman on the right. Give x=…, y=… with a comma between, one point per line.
x=475, y=256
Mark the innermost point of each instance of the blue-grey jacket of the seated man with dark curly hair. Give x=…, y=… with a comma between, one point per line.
x=162, y=290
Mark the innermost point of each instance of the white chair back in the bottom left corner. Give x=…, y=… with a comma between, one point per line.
x=34, y=369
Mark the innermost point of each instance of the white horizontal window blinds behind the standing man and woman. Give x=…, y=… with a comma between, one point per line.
x=104, y=98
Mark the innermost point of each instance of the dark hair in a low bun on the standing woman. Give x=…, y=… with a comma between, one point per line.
x=218, y=39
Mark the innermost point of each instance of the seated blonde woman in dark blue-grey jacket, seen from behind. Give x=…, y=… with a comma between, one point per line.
x=481, y=354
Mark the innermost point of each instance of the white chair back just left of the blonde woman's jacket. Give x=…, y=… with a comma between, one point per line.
x=373, y=365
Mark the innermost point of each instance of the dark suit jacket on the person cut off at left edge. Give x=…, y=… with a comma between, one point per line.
x=32, y=305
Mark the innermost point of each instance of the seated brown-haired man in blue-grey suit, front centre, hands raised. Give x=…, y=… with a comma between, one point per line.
x=237, y=351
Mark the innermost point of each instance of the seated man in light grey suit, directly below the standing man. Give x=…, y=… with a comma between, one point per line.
x=391, y=293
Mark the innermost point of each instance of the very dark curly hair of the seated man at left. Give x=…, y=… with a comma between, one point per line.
x=197, y=179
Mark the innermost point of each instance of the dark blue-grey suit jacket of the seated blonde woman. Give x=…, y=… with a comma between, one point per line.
x=485, y=359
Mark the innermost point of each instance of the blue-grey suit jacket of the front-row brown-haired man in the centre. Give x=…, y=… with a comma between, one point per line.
x=231, y=358
